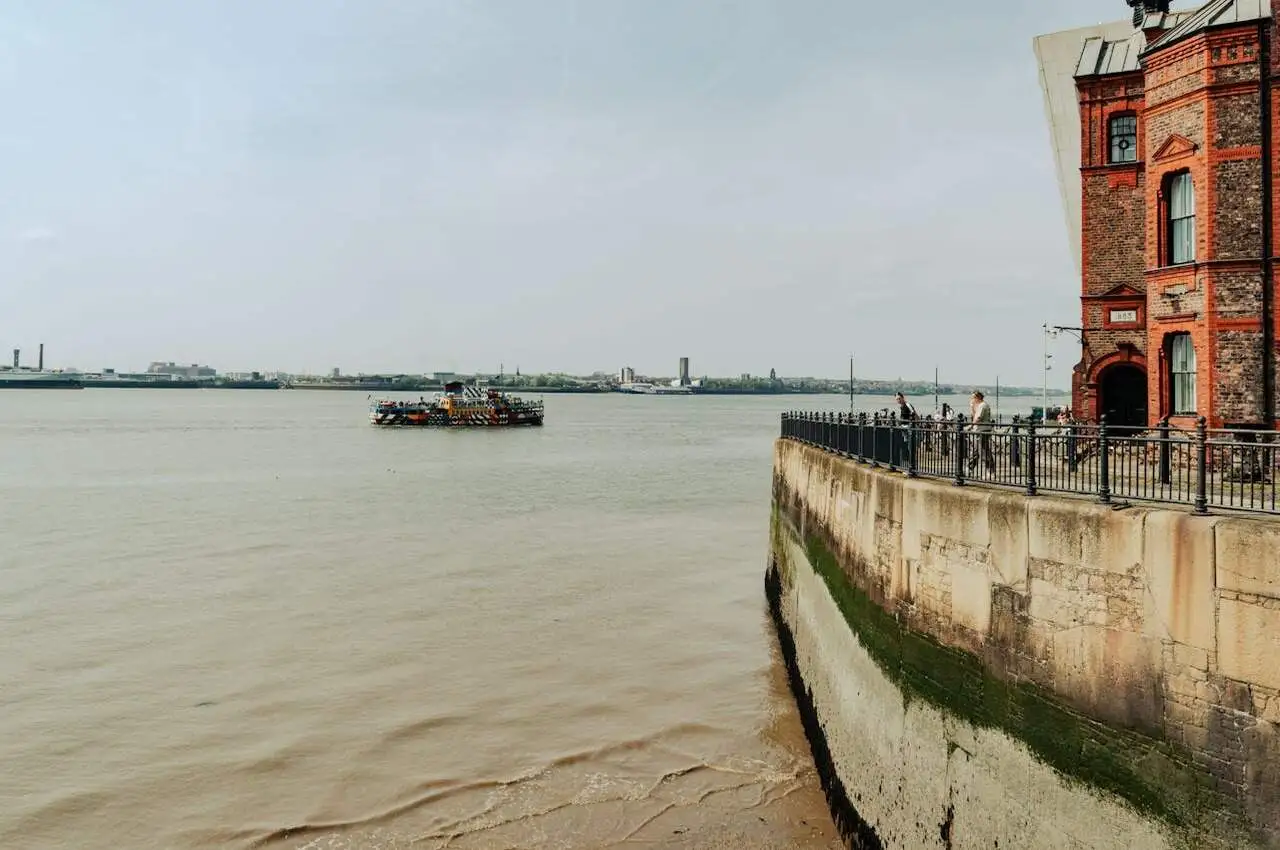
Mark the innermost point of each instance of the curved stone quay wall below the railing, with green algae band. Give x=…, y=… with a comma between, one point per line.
x=979, y=669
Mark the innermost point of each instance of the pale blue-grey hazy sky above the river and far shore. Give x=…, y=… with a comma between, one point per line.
x=555, y=186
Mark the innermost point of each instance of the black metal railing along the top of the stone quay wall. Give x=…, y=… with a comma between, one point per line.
x=1203, y=468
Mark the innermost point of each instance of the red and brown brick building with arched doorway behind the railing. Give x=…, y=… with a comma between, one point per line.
x=1178, y=185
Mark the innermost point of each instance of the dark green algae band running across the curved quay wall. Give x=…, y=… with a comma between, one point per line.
x=1153, y=775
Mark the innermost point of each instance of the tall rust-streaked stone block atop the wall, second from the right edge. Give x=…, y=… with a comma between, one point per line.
x=1180, y=570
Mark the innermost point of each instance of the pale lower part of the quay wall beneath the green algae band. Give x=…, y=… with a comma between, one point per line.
x=903, y=774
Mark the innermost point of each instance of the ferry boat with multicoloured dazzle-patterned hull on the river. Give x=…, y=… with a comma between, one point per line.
x=458, y=408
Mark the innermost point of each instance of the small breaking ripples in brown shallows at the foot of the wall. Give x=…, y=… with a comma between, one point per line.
x=642, y=793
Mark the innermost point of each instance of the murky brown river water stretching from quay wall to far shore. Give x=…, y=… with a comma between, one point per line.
x=241, y=619
